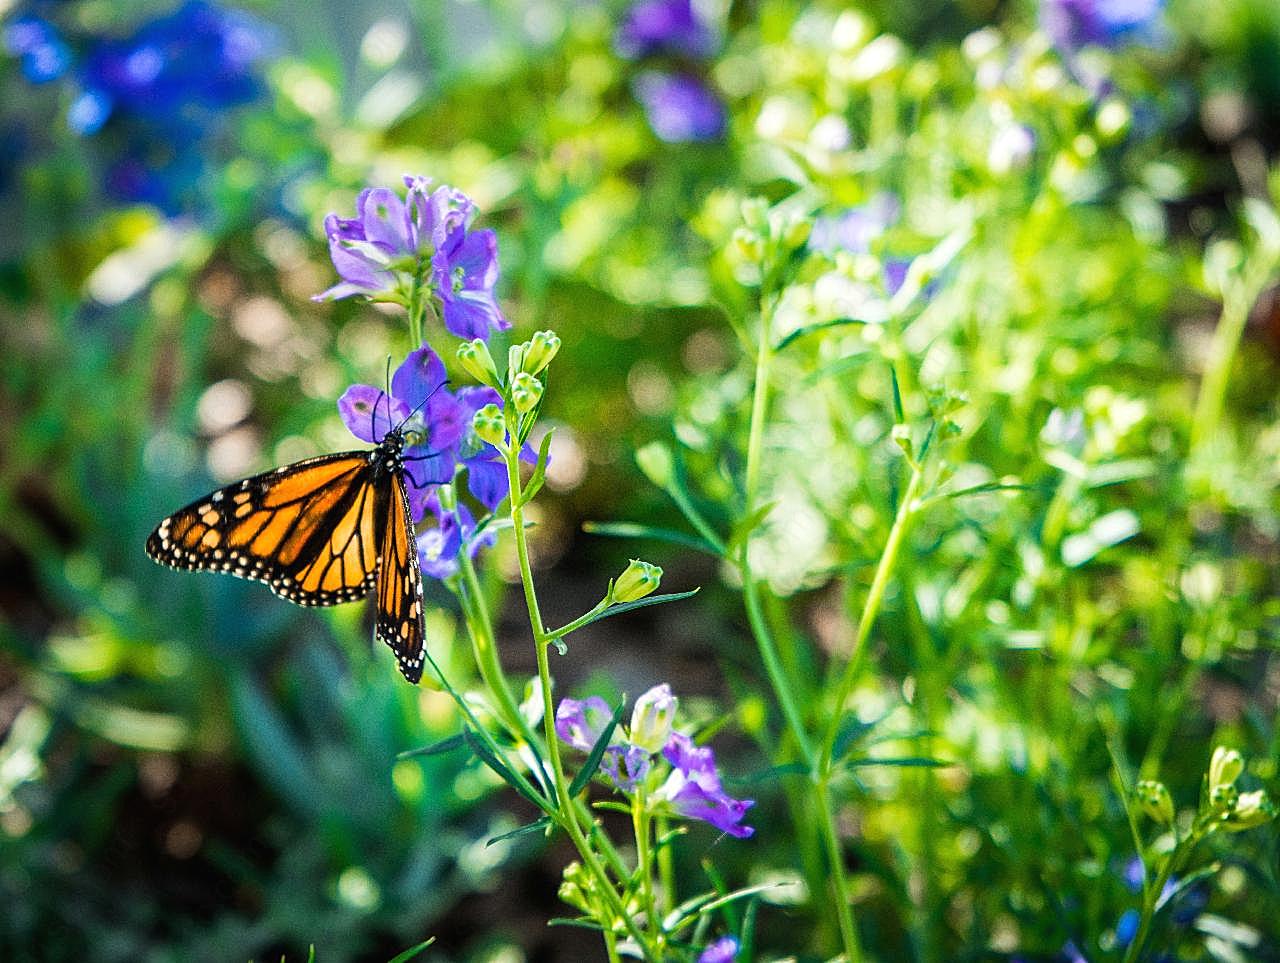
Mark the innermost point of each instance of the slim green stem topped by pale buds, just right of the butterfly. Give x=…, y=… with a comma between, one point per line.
x=569, y=813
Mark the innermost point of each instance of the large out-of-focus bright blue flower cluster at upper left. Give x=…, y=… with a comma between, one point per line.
x=177, y=70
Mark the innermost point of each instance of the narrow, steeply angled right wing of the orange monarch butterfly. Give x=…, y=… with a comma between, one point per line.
x=399, y=617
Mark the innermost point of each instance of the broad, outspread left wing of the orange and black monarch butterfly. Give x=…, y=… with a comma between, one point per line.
x=308, y=531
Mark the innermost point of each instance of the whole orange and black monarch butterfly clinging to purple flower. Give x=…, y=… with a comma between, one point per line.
x=319, y=532
